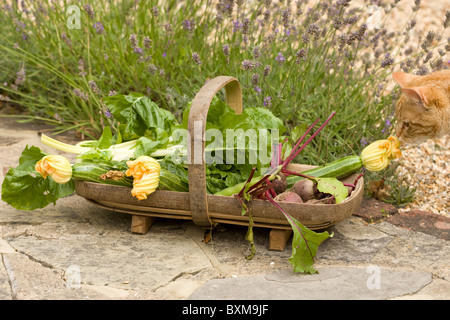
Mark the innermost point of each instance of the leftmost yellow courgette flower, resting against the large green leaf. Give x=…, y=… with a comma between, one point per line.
x=55, y=166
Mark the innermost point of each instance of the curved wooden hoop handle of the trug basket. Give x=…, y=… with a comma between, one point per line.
x=196, y=127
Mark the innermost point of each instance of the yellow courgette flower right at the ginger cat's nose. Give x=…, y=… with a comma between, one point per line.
x=376, y=156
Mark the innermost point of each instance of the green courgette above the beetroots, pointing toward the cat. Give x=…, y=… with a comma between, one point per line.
x=338, y=169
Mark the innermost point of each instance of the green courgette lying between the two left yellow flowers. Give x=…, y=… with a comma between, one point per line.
x=97, y=172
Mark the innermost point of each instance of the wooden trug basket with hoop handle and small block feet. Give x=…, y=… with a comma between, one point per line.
x=207, y=210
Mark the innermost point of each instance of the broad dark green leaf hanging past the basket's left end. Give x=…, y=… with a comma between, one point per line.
x=25, y=189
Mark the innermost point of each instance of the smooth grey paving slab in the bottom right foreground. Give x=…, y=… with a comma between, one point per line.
x=348, y=283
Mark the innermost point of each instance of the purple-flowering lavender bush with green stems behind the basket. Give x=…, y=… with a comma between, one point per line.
x=301, y=59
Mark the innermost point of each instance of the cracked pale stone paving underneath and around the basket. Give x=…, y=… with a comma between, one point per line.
x=74, y=250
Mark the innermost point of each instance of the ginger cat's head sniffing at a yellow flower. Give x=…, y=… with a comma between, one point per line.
x=423, y=110
